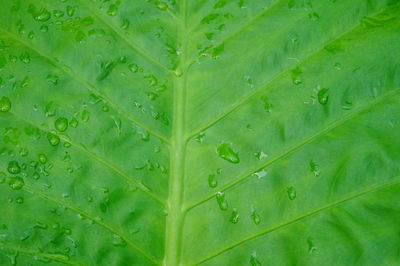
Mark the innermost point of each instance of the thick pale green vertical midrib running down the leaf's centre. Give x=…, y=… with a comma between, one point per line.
x=175, y=216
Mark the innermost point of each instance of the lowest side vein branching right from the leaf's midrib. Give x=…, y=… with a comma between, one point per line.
x=371, y=189
